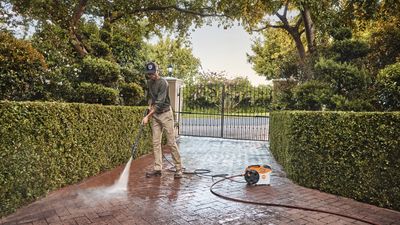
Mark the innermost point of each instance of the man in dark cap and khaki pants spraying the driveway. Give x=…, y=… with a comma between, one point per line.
x=162, y=118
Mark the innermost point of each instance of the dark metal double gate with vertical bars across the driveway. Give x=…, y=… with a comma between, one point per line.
x=225, y=111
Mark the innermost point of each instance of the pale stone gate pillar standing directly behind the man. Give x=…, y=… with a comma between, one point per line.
x=175, y=96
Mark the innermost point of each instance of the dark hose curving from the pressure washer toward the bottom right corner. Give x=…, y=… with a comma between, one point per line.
x=281, y=205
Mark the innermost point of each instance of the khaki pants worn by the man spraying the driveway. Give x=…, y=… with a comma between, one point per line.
x=164, y=121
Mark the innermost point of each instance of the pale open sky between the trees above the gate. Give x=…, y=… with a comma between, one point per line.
x=222, y=49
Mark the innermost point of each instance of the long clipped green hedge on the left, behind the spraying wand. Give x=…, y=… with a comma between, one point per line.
x=45, y=146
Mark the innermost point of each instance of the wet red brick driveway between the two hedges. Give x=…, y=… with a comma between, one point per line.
x=164, y=200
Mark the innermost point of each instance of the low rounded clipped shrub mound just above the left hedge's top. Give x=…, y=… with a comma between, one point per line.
x=97, y=93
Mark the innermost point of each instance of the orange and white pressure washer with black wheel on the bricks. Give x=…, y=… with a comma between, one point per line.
x=258, y=175
